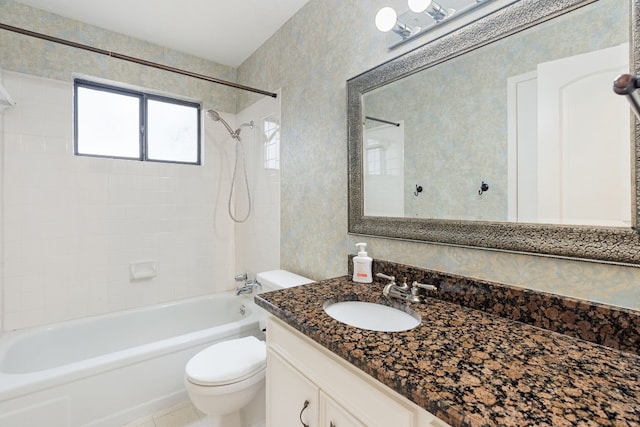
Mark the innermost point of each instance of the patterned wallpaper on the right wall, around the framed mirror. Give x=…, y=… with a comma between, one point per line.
x=311, y=57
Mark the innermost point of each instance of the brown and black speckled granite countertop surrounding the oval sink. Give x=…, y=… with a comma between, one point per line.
x=471, y=368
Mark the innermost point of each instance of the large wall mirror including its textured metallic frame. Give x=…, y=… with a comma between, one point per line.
x=457, y=142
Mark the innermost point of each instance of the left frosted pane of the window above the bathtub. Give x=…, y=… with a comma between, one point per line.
x=108, y=123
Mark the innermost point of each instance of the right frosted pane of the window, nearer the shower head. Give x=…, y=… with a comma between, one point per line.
x=172, y=132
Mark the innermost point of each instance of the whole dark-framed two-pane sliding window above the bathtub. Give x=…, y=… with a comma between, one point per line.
x=127, y=124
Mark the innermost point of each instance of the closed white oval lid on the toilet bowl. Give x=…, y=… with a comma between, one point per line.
x=227, y=362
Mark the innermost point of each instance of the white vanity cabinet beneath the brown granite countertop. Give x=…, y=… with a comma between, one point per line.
x=307, y=385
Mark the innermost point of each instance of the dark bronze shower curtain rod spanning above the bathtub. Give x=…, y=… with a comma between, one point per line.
x=133, y=59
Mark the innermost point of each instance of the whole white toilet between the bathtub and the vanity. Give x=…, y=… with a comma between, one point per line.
x=226, y=380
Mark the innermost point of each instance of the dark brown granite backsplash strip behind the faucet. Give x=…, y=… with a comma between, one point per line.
x=610, y=326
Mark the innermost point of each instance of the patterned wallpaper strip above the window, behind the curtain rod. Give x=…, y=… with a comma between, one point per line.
x=46, y=59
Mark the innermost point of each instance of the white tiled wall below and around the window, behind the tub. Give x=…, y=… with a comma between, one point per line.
x=73, y=224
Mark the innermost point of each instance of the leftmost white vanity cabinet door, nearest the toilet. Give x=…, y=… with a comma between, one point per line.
x=292, y=400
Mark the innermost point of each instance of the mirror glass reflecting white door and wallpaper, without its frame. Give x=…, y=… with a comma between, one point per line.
x=532, y=116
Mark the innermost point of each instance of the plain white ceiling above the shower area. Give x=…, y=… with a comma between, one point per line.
x=223, y=31
